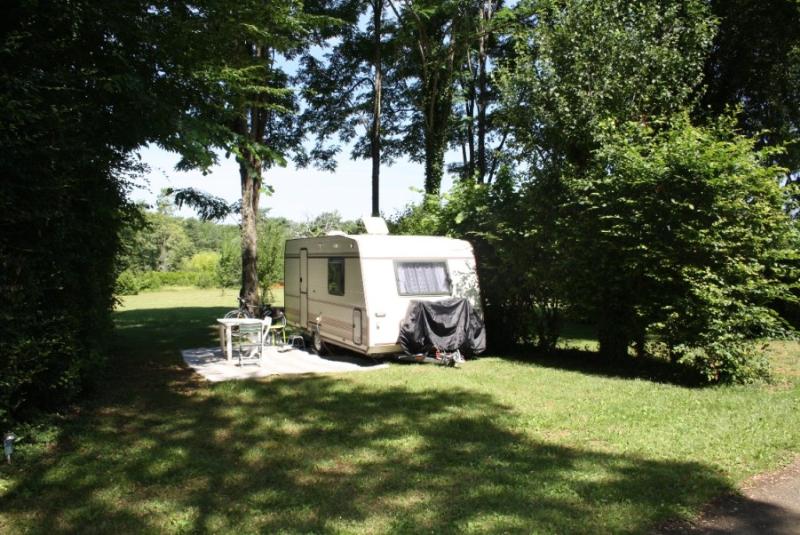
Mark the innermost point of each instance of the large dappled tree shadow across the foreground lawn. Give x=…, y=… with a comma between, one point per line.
x=316, y=455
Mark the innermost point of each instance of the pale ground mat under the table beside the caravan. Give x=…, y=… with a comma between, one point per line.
x=212, y=364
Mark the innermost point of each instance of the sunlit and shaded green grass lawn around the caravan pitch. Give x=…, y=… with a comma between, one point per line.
x=501, y=445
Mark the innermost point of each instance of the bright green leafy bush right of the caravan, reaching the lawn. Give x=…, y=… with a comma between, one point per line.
x=684, y=230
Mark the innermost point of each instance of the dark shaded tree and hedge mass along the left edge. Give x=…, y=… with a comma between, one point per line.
x=83, y=84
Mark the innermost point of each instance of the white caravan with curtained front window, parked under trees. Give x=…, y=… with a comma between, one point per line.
x=353, y=290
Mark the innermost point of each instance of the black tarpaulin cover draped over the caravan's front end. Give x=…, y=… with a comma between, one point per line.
x=446, y=325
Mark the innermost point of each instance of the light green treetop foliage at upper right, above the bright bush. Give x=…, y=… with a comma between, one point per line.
x=579, y=63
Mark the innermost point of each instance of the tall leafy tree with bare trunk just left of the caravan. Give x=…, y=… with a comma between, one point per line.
x=255, y=109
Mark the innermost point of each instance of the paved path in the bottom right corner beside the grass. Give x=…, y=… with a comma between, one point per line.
x=769, y=503
